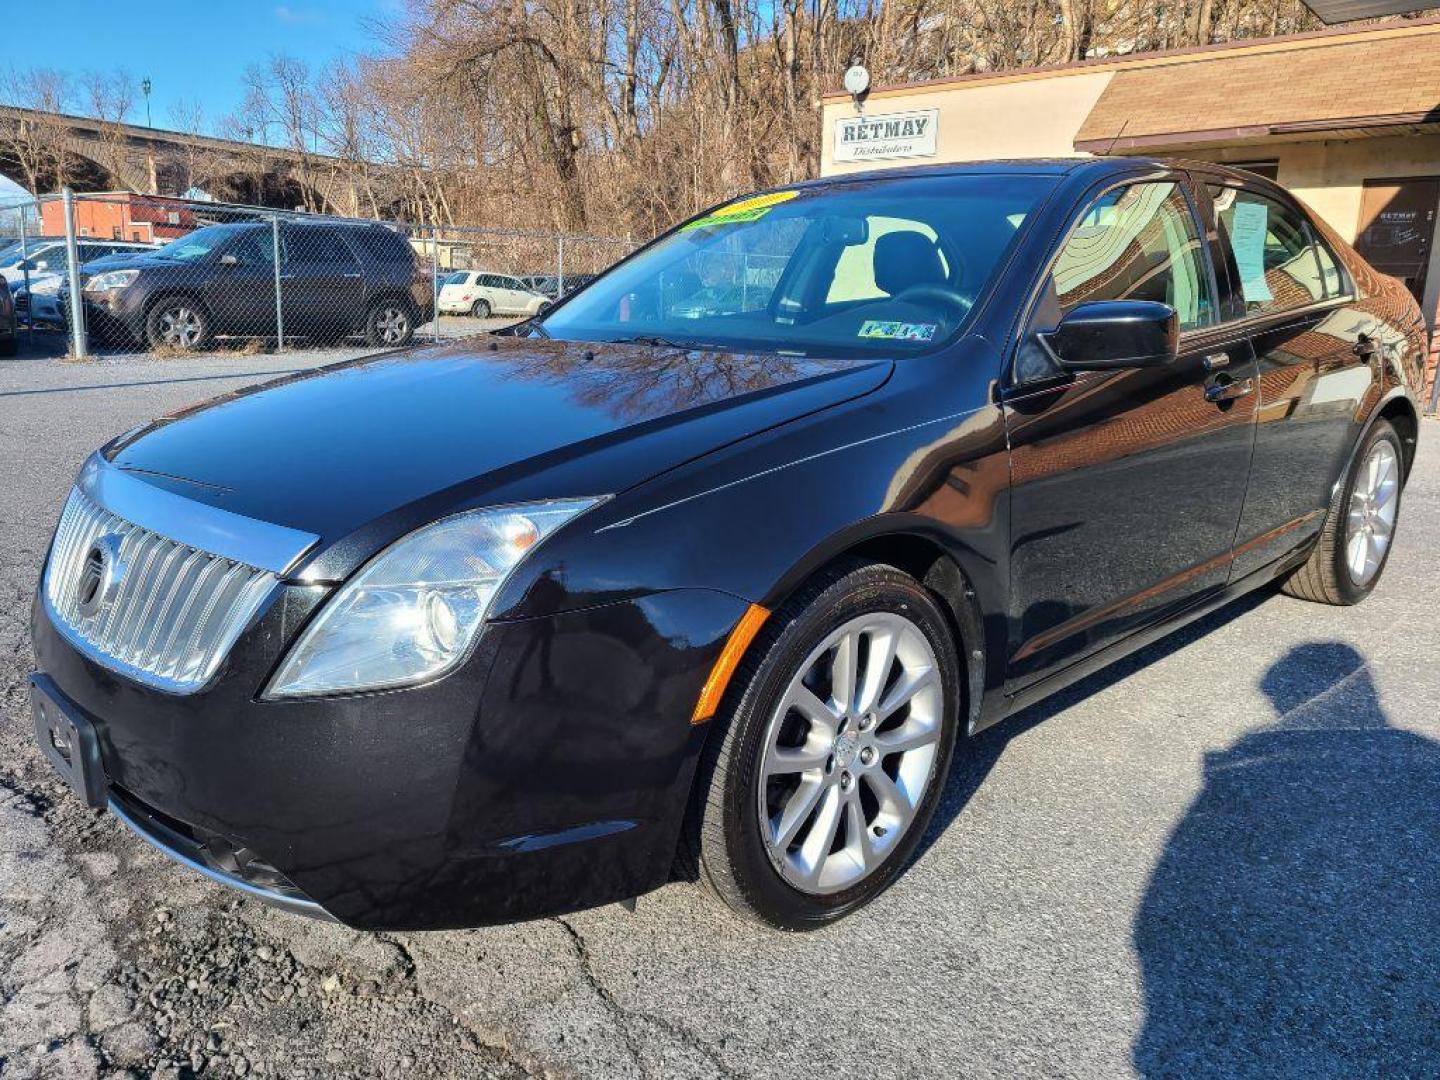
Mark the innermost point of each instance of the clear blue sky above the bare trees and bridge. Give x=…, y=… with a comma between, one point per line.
x=191, y=50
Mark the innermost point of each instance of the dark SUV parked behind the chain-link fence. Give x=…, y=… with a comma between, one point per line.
x=336, y=280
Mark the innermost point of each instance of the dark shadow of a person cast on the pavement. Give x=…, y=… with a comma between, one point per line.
x=1292, y=927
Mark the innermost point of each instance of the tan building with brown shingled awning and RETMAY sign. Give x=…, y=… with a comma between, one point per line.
x=1347, y=119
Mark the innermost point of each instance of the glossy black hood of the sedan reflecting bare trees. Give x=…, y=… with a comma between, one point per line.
x=483, y=421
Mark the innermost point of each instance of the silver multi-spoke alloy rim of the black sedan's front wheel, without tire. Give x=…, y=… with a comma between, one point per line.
x=850, y=752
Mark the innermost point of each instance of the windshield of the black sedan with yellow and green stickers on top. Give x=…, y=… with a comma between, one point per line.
x=872, y=267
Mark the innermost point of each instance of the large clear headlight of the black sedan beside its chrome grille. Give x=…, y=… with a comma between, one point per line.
x=414, y=611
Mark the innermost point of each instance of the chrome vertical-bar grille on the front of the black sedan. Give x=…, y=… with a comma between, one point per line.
x=172, y=616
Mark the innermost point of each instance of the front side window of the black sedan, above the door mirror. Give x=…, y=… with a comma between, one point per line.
x=1137, y=243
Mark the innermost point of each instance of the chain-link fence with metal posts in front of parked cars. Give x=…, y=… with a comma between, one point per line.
x=129, y=273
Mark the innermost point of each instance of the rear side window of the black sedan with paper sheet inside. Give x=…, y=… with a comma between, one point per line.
x=1279, y=266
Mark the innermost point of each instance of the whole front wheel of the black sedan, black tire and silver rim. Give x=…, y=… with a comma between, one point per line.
x=836, y=744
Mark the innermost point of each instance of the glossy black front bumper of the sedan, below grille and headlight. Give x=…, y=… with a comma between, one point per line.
x=549, y=774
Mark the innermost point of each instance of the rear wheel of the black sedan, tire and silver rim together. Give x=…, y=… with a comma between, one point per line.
x=1360, y=526
